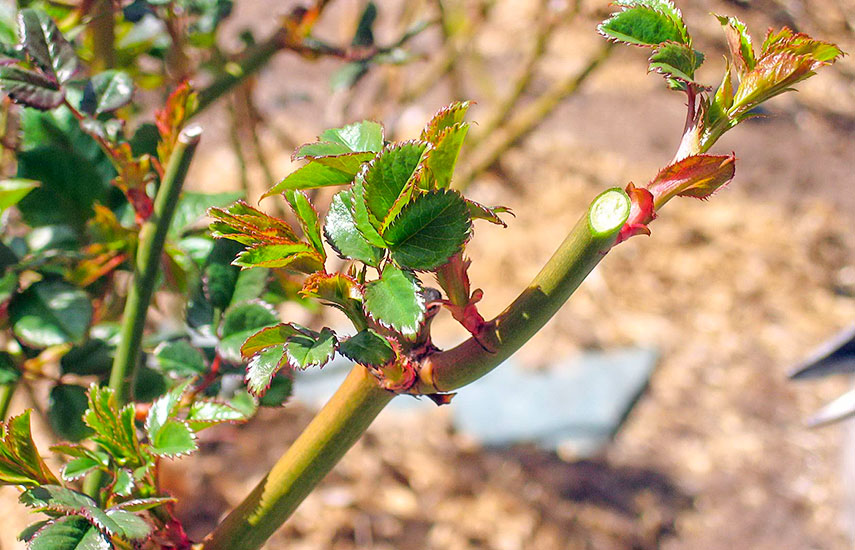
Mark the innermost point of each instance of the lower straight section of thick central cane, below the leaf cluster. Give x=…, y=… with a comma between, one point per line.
x=324, y=441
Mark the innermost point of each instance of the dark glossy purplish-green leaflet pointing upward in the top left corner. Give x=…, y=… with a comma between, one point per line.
x=46, y=46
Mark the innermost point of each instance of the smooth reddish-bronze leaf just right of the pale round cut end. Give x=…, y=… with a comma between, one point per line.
x=697, y=176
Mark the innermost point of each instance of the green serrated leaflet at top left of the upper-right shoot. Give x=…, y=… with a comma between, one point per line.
x=646, y=23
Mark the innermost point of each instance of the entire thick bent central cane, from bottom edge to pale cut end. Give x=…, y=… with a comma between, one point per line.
x=358, y=401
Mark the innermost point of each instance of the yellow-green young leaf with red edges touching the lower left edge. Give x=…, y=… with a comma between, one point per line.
x=20, y=462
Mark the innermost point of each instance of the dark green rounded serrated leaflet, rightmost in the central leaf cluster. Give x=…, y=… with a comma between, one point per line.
x=429, y=230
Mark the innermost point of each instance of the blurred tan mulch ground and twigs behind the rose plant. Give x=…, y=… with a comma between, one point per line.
x=729, y=294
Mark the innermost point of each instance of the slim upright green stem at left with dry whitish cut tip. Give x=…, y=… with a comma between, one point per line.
x=147, y=266
